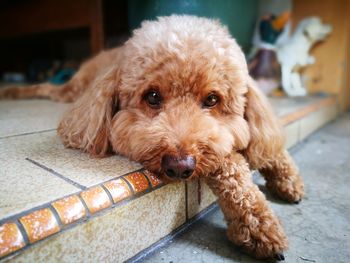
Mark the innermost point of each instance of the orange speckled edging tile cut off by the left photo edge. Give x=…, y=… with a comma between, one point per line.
x=11, y=239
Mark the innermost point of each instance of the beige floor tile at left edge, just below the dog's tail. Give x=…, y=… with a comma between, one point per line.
x=27, y=116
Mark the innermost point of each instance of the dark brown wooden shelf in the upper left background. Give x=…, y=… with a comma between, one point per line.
x=22, y=18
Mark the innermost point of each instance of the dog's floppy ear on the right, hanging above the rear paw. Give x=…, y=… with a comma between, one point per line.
x=266, y=135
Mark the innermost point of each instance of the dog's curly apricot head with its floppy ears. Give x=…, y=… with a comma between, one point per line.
x=180, y=102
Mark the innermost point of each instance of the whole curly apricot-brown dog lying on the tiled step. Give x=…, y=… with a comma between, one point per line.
x=177, y=97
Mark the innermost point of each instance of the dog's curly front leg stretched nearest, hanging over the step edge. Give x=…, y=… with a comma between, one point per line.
x=251, y=223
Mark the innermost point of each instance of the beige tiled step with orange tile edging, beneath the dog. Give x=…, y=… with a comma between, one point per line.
x=45, y=188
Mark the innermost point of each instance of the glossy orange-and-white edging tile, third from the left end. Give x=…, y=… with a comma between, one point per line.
x=69, y=209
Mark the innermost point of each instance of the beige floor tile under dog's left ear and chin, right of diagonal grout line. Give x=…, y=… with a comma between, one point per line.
x=76, y=165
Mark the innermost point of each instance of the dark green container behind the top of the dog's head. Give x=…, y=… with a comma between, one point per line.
x=238, y=15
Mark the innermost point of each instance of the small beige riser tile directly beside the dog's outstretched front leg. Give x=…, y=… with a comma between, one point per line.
x=197, y=200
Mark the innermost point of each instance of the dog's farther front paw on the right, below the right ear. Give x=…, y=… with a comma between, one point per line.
x=290, y=188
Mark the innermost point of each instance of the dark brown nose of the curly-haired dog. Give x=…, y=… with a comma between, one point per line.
x=180, y=167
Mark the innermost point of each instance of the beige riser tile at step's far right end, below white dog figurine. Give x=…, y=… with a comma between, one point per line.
x=317, y=119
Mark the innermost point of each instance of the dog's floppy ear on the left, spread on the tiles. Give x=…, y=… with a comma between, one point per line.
x=86, y=125
